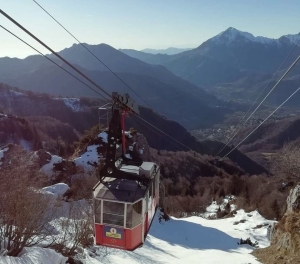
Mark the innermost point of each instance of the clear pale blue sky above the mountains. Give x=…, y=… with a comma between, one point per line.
x=140, y=24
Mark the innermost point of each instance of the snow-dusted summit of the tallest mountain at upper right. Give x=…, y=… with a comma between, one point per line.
x=231, y=35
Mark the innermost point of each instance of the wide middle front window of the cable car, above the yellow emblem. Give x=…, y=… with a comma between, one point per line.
x=113, y=213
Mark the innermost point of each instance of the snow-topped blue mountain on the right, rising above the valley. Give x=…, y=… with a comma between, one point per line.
x=235, y=63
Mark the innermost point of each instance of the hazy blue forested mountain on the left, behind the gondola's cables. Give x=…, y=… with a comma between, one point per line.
x=163, y=91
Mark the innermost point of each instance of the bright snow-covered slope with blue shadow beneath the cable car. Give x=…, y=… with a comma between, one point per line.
x=189, y=240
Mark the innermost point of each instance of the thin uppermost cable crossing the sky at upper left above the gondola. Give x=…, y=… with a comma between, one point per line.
x=84, y=46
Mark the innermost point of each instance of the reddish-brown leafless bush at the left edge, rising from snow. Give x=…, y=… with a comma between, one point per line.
x=24, y=211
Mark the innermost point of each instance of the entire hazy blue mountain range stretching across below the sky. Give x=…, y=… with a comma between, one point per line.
x=193, y=87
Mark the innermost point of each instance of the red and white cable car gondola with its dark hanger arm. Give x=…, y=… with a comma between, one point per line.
x=126, y=197
